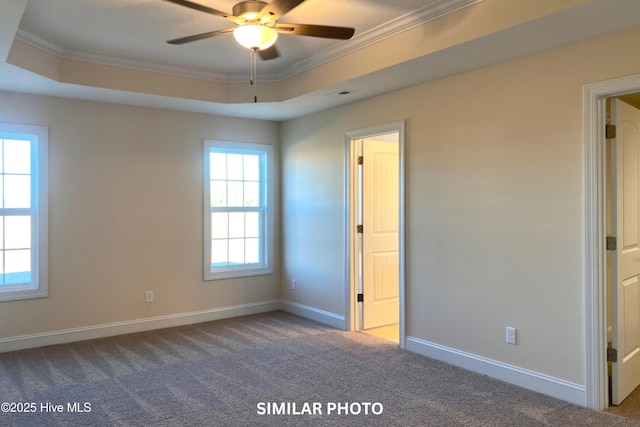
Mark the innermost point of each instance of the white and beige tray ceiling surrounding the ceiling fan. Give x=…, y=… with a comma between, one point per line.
x=132, y=34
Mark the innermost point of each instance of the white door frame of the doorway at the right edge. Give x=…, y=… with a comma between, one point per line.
x=595, y=300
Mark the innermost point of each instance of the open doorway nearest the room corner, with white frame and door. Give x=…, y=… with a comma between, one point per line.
x=375, y=213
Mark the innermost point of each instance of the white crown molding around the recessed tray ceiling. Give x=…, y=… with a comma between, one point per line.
x=410, y=20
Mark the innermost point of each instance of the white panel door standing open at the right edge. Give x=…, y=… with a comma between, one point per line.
x=626, y=258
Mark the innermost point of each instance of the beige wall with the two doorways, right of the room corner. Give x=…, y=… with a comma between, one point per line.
x=494, y=204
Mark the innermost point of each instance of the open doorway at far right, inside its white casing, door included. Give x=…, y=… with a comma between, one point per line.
x=622, y=190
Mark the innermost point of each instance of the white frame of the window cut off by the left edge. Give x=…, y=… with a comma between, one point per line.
x=39, y=138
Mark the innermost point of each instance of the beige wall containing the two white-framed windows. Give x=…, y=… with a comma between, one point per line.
x=126, y=214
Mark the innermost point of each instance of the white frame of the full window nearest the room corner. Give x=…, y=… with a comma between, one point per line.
x=266, y=197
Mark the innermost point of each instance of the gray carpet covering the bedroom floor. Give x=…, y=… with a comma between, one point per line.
x=217, y=373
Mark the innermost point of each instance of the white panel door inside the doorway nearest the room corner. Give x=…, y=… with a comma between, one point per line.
x=380, y=263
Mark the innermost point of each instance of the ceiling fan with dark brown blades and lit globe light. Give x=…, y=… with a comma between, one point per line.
x=257, y=26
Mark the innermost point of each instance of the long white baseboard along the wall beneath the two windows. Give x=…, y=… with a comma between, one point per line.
x=139, y=325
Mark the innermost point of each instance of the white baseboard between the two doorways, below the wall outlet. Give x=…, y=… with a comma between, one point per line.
x=541, y=383
